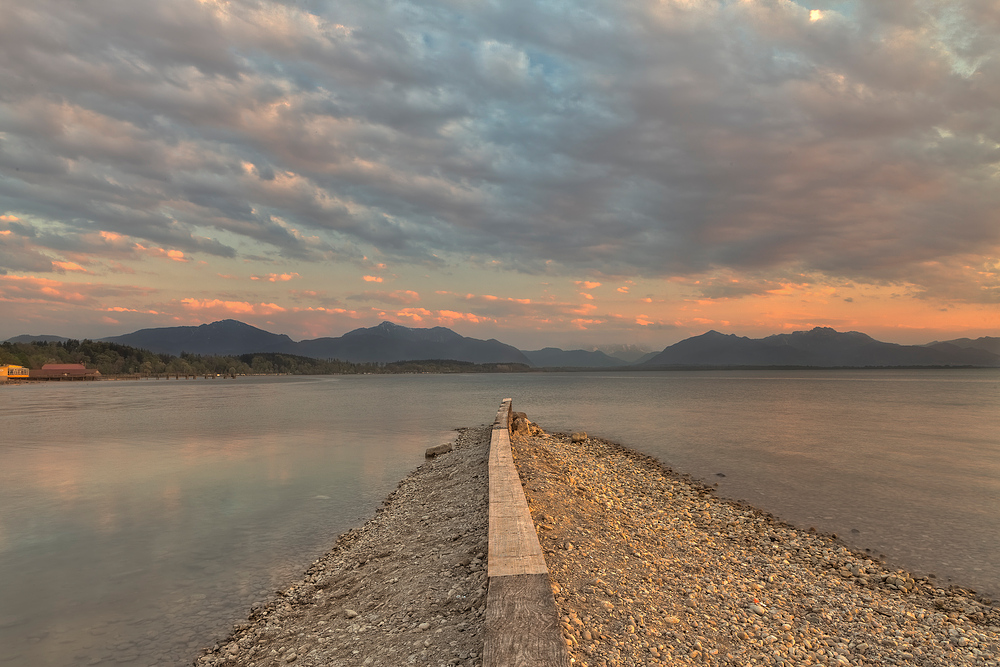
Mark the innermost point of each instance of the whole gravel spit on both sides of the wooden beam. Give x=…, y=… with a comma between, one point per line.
x=648, y=567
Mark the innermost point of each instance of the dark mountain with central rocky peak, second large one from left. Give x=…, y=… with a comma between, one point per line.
x=393, y=342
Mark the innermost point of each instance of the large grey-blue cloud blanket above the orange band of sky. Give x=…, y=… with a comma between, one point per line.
x=630, y=139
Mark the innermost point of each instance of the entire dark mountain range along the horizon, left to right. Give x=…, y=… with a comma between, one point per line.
x=388, y=342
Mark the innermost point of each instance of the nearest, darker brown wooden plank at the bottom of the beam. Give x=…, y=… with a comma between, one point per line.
x=522, y=624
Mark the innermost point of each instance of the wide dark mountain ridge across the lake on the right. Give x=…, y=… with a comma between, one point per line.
x=822, y=347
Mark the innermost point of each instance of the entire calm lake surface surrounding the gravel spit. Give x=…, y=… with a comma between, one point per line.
x=139, y=520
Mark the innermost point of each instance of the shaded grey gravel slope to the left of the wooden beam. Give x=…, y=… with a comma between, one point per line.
x=407, y=588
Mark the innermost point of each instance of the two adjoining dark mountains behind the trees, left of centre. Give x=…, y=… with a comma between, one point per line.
x=386, y=342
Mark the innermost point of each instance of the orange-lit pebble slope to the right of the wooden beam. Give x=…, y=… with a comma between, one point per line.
x=663, y=565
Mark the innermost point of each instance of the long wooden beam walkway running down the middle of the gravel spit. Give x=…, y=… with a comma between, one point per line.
x=522, y=622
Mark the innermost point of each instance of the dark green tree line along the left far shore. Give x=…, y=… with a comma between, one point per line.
x=116, y=359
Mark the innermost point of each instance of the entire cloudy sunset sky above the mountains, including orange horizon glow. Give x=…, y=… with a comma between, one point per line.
x=568, y=173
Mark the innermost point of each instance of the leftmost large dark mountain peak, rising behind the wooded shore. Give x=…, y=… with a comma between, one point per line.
x=223, y=338
